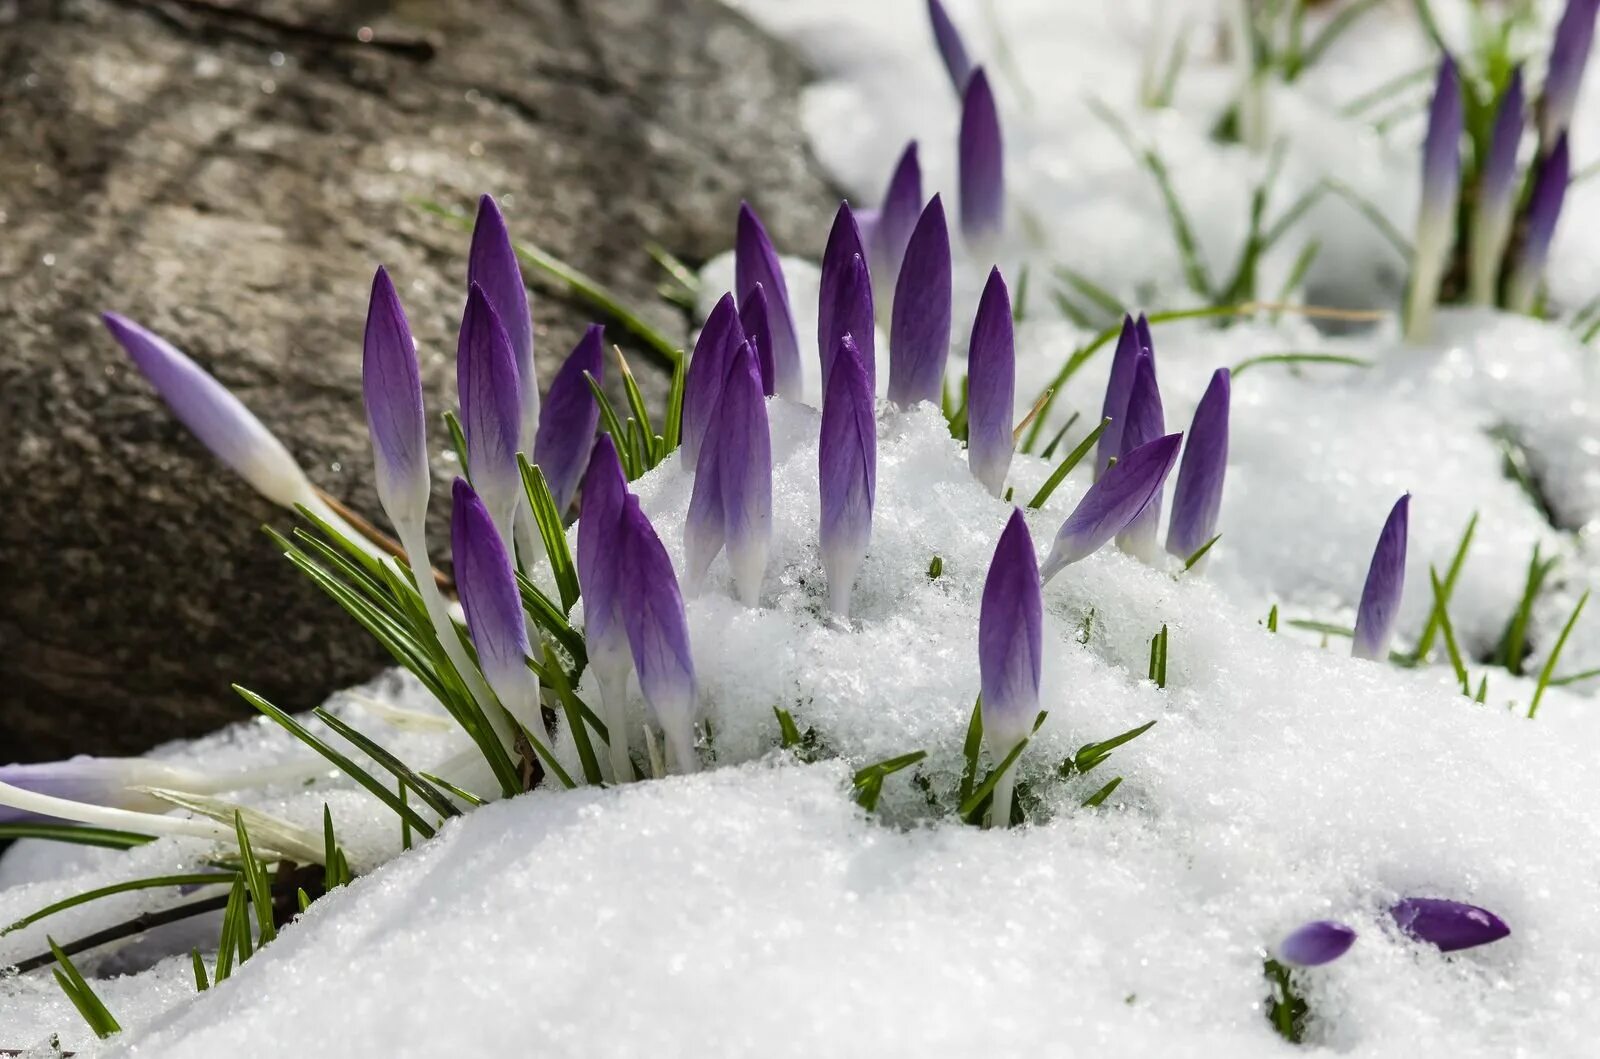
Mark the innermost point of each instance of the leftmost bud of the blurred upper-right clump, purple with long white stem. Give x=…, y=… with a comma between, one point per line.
x=1436, y=220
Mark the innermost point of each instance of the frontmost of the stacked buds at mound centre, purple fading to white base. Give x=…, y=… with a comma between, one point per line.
x=847, y=473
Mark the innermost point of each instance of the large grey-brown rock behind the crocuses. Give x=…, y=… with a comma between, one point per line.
x=231, y=178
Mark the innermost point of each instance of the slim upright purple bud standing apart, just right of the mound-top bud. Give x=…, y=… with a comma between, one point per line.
x=991, y=386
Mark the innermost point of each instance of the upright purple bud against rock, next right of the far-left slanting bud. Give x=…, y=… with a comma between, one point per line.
x=393, y=393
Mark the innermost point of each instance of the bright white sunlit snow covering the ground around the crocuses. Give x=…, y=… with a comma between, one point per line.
x=756, y=911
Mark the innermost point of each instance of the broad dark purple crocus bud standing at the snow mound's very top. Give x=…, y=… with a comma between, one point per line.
x=921, y=324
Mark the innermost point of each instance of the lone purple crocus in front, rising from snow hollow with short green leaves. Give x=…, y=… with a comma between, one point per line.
x=1010, y=650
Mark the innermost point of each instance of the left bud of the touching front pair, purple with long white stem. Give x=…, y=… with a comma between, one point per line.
x=606, y=633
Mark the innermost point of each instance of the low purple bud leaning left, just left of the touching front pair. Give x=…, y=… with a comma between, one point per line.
x=494, y=604
